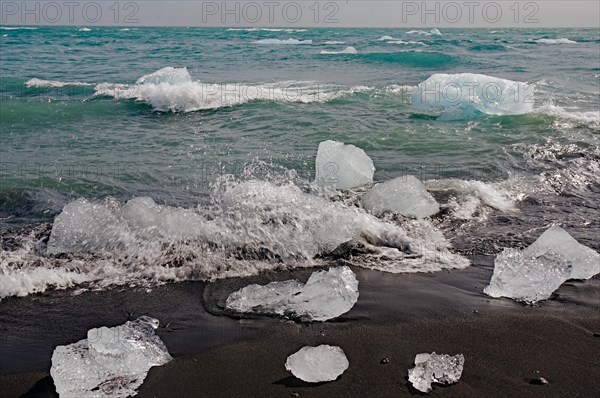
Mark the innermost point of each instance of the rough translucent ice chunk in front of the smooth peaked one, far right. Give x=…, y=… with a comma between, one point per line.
x=525, y=278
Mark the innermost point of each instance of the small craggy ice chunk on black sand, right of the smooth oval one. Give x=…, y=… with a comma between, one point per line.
x=434, y=368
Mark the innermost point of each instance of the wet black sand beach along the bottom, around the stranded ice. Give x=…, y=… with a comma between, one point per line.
x=505, y=344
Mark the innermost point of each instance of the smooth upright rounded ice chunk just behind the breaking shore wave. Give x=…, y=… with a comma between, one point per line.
x=342, y=166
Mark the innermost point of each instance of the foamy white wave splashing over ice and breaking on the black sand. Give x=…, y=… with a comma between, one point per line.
x=253, y=226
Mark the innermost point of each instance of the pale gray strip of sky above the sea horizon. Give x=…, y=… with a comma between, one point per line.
x=304, y=13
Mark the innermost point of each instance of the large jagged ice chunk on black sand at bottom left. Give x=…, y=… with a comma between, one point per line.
x=111, y=362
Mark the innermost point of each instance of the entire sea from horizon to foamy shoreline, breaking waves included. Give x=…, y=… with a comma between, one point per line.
x=166, y=154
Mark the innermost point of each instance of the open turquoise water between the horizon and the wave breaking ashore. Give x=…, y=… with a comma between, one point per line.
x=60, y=143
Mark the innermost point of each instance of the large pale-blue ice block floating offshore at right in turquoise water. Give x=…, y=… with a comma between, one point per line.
x=460, y=95
